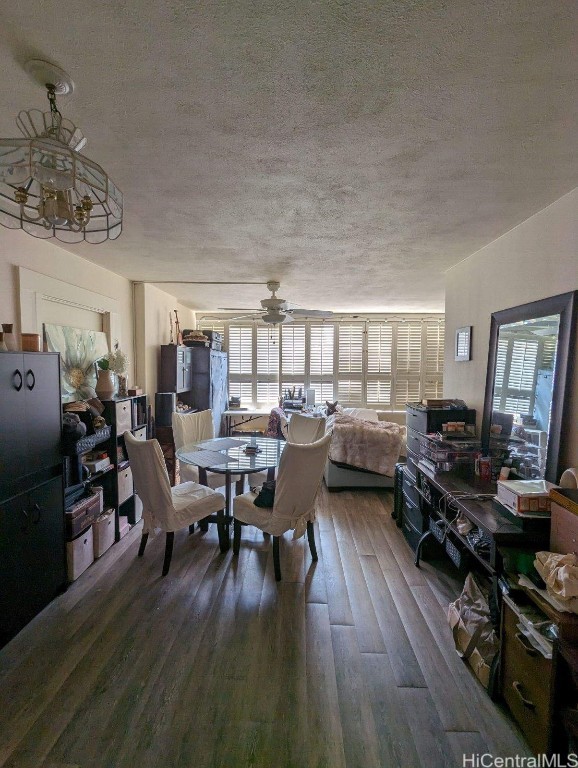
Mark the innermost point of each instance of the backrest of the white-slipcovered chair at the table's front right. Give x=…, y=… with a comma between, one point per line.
x=298, y=480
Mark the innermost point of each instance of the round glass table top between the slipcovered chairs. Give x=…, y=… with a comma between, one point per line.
x=270, y=450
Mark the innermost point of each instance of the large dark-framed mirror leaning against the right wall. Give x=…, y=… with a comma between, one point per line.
x=529, y=370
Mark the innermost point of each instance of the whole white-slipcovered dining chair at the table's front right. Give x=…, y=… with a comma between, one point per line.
x=298, y=480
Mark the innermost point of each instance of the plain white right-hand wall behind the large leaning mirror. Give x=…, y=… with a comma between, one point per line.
x=537, y=259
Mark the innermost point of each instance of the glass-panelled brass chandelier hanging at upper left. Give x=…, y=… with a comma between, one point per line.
x=47, y=188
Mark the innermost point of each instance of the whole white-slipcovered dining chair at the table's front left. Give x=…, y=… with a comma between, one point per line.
x=170, y=509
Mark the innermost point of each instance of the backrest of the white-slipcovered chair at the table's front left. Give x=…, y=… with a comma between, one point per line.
x=151, y=482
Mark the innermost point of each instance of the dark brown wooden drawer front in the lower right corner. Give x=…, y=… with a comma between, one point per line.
x=527, y=684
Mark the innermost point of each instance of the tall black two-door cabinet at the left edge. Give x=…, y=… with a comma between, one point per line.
x=32, y=554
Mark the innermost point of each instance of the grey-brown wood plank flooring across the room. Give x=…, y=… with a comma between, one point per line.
x=347, y=663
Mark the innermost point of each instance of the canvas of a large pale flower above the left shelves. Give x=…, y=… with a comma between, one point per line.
x=79, y=350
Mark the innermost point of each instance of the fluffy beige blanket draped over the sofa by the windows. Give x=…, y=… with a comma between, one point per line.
x=370, y=445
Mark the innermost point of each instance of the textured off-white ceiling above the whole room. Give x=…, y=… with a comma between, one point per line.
x=352, y=150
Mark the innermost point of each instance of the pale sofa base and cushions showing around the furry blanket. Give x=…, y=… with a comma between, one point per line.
x=339, y=476
